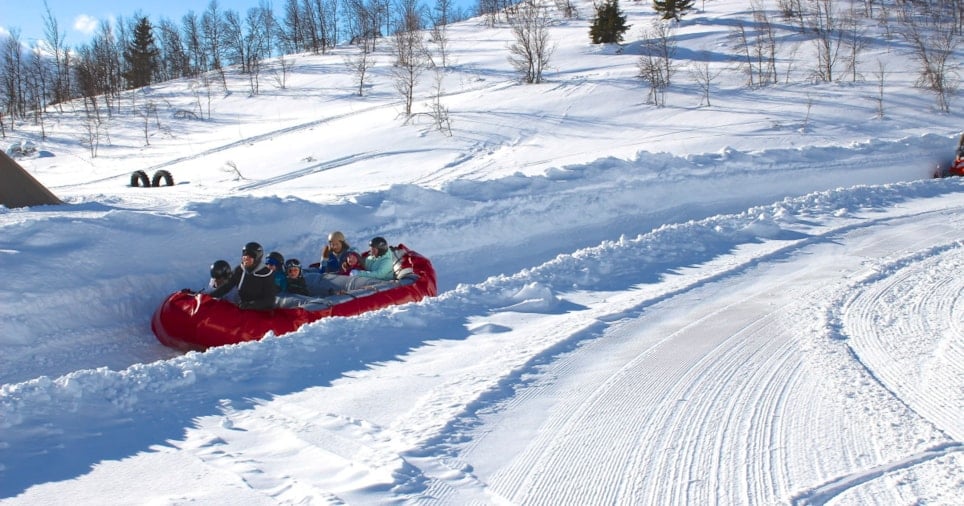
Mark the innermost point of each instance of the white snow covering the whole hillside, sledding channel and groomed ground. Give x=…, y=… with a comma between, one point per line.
x=756, y=302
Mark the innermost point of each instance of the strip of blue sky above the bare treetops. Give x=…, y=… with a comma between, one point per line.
x=78, y=20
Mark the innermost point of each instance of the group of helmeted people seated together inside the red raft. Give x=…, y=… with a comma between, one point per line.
x=264, y=283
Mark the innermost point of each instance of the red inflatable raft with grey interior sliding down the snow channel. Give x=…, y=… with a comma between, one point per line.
x=195, y=321
